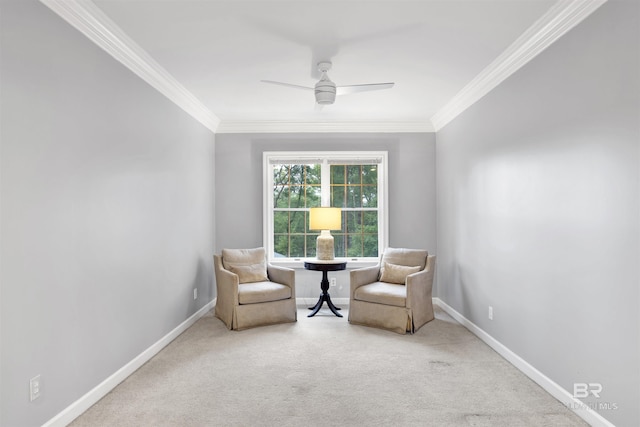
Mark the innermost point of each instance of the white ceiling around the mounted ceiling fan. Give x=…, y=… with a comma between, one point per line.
x=219, y=50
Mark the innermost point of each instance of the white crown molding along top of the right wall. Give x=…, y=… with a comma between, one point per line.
x=557, y=21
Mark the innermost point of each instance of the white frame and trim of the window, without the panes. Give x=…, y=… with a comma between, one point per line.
x=324, y=157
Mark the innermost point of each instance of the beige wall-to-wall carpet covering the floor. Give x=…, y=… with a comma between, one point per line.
x=322, y=371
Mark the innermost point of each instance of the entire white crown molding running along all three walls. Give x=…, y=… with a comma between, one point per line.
x=85, y=16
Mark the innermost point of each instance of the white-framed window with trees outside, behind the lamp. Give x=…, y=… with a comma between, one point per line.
x=298, y=181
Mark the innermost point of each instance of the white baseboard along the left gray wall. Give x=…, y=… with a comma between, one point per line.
x=78, y=407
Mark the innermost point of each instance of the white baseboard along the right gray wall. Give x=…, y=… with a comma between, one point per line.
x=577, y=406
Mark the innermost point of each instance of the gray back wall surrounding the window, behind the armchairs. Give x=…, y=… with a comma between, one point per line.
x=239, y=190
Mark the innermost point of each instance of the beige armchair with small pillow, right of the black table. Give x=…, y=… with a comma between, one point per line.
x=396, y=293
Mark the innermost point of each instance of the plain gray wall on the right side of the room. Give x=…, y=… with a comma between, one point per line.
x=538, y=211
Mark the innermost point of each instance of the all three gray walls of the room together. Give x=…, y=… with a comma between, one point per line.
x=107, y=212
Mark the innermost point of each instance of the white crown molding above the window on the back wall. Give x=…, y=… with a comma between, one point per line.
x=267, y=126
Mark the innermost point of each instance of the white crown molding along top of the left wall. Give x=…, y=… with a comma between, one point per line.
x=86, y=17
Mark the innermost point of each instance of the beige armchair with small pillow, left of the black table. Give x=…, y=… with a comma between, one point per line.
x=251, y=292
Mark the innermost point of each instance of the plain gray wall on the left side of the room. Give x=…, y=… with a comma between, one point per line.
x=106, y=216
